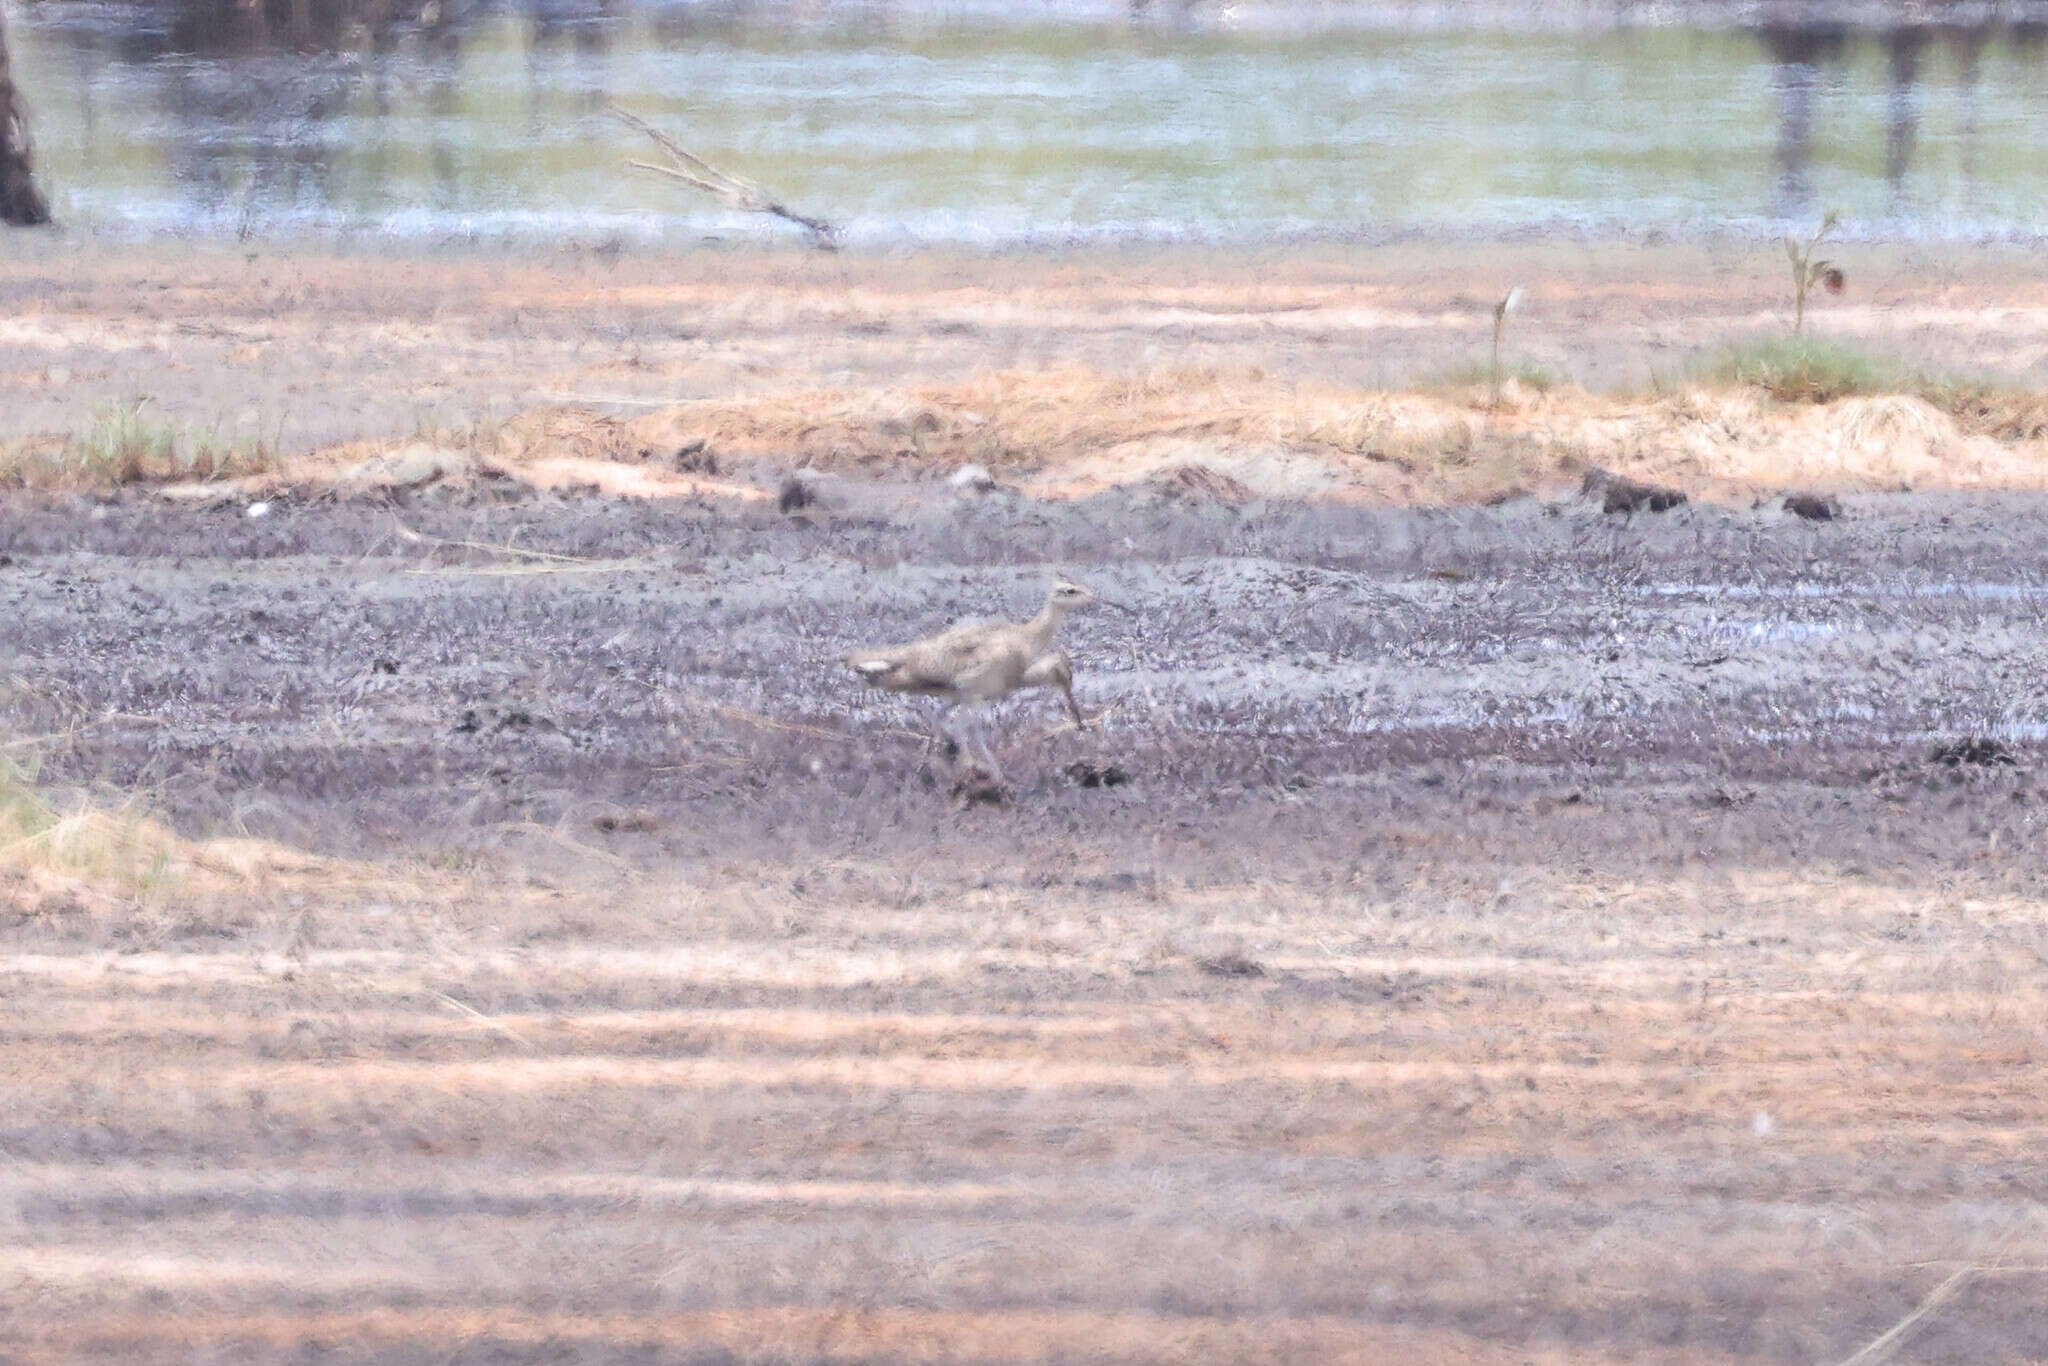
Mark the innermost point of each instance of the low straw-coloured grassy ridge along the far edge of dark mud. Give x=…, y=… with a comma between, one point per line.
x=1766, y=415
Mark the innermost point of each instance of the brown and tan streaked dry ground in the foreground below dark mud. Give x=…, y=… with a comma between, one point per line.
x=1025, y=1125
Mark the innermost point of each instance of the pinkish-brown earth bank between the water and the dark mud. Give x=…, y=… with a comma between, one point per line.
x=1318, y=372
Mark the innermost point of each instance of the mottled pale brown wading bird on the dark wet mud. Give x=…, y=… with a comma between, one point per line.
x=984, y=663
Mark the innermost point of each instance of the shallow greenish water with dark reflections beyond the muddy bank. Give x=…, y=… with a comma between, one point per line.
x=912, y=124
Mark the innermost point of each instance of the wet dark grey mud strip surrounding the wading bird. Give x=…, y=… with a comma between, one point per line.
x=382, y=677
